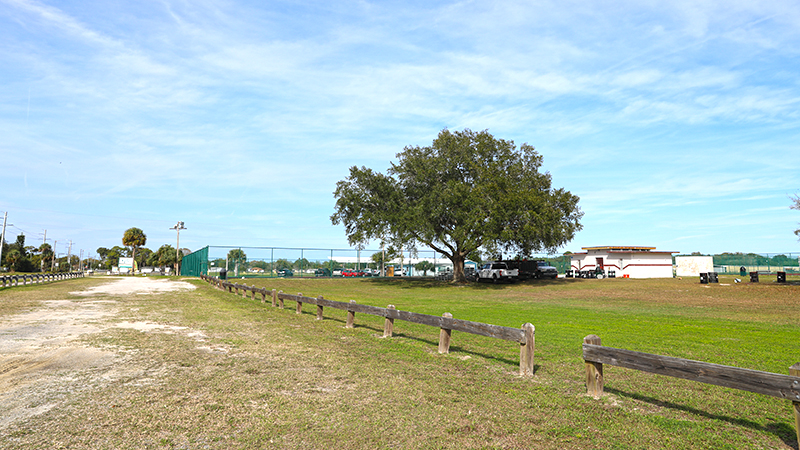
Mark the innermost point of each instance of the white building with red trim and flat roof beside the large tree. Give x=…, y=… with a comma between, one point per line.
x=625, y=261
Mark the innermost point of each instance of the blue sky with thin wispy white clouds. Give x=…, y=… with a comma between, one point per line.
x=676, y=123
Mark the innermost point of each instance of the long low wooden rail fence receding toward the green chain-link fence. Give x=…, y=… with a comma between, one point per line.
x=525, y=336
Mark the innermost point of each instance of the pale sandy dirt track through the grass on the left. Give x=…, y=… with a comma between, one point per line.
x=43, y=362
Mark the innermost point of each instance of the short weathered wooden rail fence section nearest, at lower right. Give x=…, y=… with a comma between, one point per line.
x=765, y=383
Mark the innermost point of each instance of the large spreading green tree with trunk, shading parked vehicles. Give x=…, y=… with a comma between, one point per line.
x=466, y=191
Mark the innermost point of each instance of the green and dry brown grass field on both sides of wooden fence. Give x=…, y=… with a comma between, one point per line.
x=289, y=381
